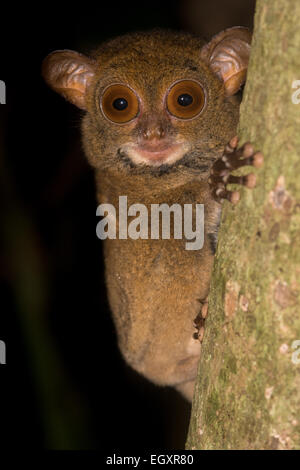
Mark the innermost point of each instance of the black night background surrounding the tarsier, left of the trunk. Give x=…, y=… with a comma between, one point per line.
x=65, y=385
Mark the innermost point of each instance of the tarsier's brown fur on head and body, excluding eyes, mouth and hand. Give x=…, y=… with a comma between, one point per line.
x=155, y=287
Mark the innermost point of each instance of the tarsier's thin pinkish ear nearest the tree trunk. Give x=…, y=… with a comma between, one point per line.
x=228, y=54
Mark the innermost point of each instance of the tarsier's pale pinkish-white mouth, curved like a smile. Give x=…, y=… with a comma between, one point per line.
x=155, y=155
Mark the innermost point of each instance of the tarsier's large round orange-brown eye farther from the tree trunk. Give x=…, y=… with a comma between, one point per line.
x=119, y=103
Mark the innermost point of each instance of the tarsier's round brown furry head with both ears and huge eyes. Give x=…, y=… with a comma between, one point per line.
x=155, y=100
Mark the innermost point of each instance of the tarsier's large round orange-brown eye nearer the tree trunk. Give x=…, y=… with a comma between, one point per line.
x=186, y=99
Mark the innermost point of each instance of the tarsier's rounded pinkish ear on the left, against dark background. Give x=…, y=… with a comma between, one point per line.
x=69, y=73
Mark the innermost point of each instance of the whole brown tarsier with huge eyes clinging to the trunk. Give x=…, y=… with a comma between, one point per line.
x=160, y=107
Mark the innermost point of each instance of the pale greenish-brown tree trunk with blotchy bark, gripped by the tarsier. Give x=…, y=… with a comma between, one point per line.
x=247, y=394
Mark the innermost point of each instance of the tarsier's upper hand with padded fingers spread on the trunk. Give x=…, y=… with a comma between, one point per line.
x=232, y=159
